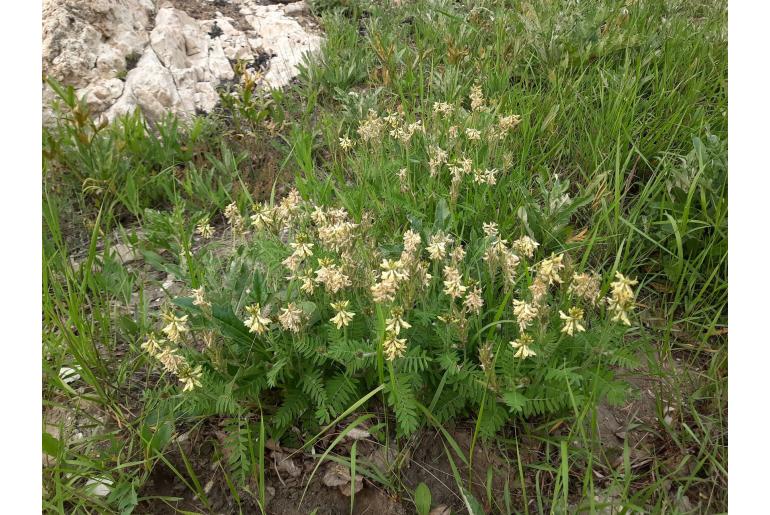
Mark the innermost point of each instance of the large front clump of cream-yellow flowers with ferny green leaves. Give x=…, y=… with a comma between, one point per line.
x=313, y=307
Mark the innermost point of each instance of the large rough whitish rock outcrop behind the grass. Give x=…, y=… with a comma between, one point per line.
x=121, y=55
